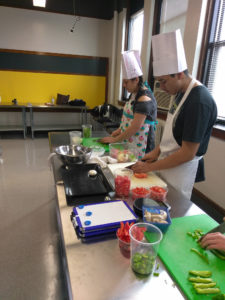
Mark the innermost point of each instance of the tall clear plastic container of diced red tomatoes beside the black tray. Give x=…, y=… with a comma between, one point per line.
x=122, y=182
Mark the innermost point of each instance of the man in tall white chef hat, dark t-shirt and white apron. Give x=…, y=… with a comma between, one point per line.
x=177, y=162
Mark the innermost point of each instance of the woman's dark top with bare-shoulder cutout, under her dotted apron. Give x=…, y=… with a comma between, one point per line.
x=148, y=108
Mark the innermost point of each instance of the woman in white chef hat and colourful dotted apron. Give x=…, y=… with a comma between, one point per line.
x=140, y=111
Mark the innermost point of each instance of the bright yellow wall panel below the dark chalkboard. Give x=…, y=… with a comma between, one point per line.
x=39, y=88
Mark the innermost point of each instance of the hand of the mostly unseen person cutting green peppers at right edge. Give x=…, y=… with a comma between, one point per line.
x=214, y=240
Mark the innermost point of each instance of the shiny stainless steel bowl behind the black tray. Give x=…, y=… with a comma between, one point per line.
x=73, y=154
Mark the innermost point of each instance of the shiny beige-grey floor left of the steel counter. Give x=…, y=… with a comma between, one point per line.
x=30, y=265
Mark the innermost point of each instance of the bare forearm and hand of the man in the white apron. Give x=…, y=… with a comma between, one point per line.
x=186, y=153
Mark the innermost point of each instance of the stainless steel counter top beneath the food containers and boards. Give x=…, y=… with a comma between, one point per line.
x=98, y=271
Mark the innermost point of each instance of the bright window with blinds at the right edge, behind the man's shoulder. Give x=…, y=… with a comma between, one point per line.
x=214, y=71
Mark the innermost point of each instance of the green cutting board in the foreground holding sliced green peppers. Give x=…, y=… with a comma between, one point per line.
x=175, y=253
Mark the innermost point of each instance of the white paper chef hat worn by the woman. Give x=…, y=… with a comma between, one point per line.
x=131, y=64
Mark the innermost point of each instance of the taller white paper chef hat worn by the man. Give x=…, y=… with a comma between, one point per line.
x=168, y=53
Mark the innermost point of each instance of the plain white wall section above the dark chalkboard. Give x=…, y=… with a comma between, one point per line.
x=23, y=29
